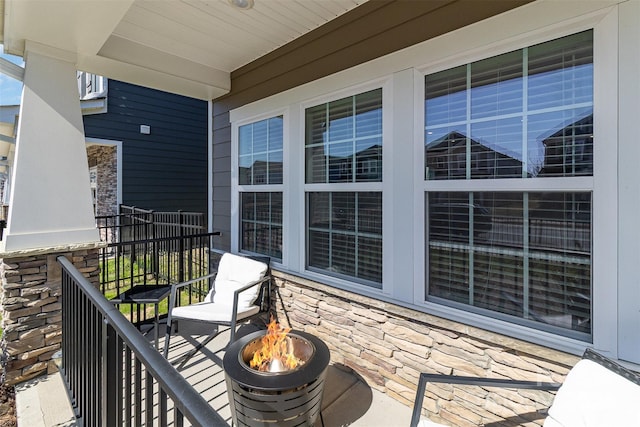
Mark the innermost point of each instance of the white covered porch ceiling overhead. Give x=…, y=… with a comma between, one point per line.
x=189, y=47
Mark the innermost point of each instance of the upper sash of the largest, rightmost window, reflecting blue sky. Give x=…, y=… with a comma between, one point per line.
x=523, y=114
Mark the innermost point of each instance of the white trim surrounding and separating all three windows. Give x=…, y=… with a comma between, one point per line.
x=404, y=187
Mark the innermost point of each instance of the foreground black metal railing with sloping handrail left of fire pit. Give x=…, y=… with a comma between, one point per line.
x=116, y=377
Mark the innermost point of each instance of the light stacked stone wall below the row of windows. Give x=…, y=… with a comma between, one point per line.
x=390, y=345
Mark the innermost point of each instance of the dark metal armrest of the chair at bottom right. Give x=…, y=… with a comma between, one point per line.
x=475, y=381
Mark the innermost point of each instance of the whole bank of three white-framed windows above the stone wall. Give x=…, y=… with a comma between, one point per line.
x=476, y=177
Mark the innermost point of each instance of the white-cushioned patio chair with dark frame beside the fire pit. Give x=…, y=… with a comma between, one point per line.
x=241, y=291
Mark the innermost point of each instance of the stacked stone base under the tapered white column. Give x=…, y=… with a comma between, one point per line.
x=31, y=289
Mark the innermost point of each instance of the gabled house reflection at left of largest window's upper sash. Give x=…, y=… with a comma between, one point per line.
x=446, y=159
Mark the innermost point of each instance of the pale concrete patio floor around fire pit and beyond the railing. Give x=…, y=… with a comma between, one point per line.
x=347, y=401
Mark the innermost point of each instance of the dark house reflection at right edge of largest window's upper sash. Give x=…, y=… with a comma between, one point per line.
x=569, y=151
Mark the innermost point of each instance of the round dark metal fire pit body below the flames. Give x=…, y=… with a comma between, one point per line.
x=283, y=399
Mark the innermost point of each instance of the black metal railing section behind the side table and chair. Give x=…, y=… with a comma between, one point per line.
x=152, y=248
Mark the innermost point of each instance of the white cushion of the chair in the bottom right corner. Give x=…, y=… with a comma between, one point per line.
x=592, y=395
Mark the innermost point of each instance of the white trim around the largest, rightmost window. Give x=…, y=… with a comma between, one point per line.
x=604, y=186
